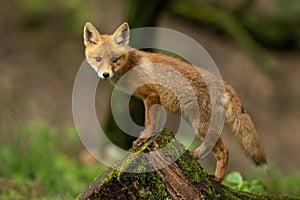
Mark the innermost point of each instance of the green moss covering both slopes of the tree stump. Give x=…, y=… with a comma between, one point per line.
x=120, y=184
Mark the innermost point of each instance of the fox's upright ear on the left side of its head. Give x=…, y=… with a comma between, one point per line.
x=90, y=34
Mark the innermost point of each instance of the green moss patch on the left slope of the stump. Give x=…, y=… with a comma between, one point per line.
x=141, y=184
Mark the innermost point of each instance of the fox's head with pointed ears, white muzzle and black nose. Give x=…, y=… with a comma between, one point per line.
x=106, y=54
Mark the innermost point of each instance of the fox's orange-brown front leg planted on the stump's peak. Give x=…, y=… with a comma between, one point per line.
x=152, y=119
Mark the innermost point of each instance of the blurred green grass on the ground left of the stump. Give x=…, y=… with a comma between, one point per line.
x=40, y=162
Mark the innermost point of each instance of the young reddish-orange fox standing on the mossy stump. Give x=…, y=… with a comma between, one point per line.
x=112, y=57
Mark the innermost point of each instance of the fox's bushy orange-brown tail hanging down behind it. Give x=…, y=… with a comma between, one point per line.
x=241, y=125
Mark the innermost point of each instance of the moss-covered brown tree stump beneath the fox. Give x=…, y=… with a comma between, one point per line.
x=182, y=179
